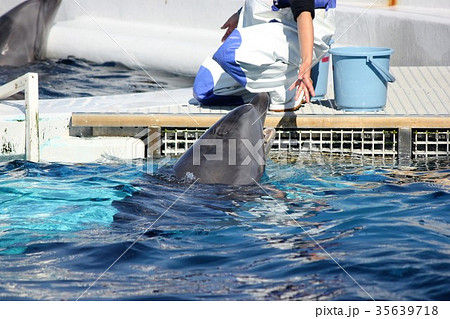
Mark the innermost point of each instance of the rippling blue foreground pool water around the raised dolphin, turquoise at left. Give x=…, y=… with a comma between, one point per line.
x=62, y=226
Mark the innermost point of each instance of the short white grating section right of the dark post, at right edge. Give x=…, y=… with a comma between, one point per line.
x=431, y=143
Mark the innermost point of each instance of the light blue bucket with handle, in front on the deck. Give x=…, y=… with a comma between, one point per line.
x=360, y=76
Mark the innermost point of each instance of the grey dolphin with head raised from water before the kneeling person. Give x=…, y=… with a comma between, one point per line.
x=232, y=151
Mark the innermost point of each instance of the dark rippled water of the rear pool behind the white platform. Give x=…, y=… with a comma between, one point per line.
x=72, y=77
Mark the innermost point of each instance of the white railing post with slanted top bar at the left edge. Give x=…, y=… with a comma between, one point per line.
x=29, y=84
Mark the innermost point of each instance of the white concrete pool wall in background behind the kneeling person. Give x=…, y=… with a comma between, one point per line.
x=177, y=35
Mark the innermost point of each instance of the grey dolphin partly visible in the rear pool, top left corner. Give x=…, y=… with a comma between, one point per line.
x=24, y=31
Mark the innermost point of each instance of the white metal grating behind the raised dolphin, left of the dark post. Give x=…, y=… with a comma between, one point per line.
x=366, y=142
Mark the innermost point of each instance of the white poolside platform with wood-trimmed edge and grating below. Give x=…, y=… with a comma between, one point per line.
x=415, y=122
